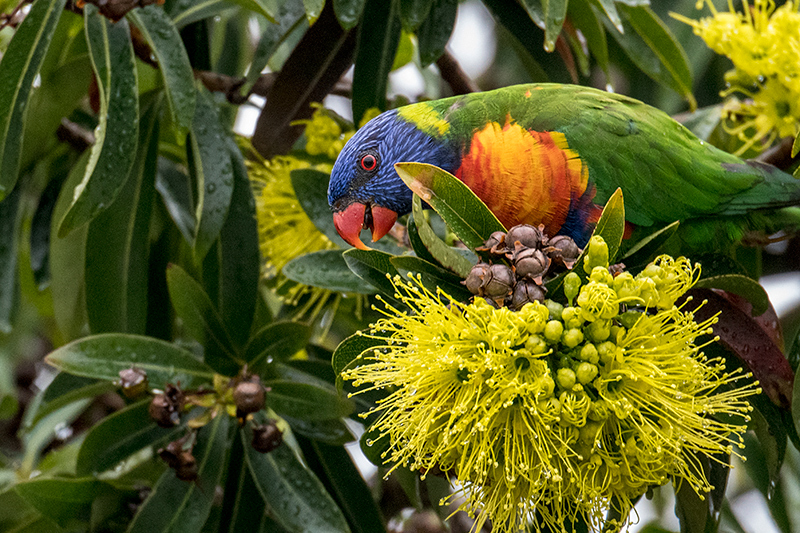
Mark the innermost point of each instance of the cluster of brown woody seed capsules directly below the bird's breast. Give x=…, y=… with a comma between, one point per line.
x=533, y=256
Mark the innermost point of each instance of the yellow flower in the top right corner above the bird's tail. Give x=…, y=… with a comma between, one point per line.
x=763, y=43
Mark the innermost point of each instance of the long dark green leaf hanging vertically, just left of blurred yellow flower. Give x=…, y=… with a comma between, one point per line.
x=238, y=257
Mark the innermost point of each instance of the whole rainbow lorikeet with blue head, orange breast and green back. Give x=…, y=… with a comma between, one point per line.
x=553, y=154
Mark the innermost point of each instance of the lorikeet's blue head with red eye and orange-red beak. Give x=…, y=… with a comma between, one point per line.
x=365, y=191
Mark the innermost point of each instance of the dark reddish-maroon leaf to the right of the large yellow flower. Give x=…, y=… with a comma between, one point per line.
x=745, y=338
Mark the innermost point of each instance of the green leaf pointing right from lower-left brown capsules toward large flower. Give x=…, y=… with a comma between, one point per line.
x=306, y=401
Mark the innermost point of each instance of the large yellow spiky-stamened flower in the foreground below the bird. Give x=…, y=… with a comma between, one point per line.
x=544, y=420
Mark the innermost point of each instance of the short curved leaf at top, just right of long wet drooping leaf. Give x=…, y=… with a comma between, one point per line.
x=173, y=62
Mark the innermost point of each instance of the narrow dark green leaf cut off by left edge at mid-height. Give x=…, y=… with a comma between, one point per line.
x=10, y=219
